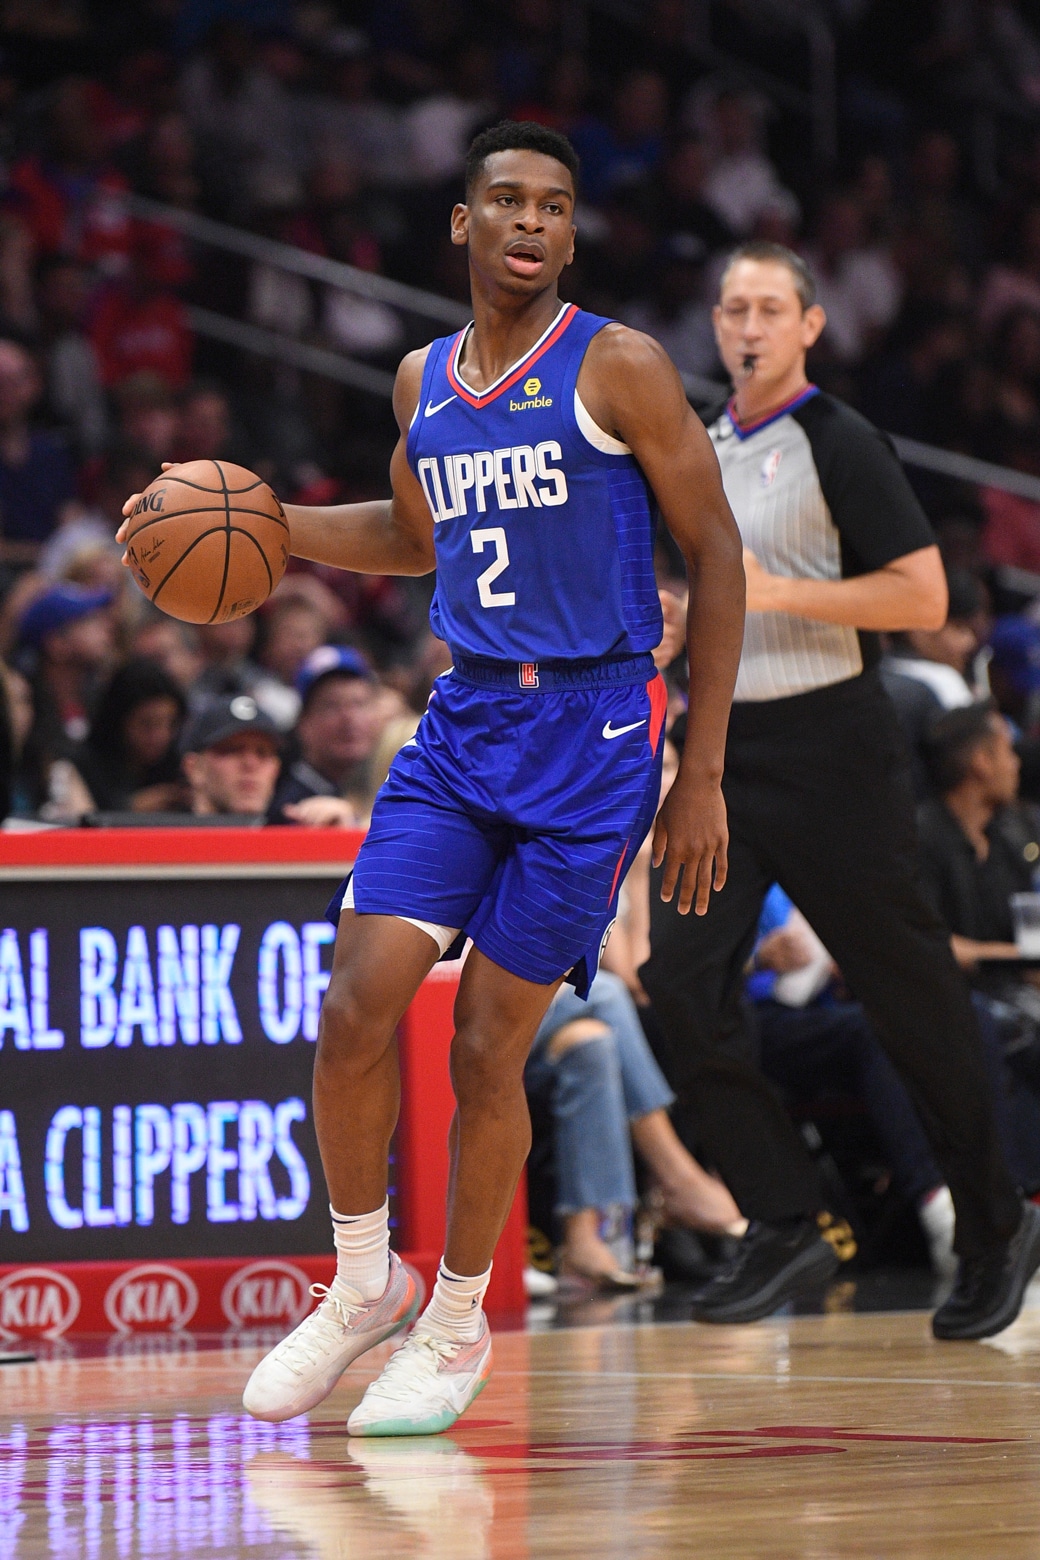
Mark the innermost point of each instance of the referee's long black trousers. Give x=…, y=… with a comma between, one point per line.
x=821, y=803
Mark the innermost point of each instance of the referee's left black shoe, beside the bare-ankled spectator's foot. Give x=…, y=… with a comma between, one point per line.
x=771, y=1266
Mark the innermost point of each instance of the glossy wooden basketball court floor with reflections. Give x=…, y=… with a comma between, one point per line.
x=815, y=1438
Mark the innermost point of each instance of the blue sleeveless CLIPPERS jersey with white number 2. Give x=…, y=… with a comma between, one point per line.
x=545, y=544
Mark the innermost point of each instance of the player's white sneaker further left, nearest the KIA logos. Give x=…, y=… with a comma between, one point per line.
x=306, y=1366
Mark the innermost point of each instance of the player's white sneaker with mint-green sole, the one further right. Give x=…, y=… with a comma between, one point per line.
x=425, y=1388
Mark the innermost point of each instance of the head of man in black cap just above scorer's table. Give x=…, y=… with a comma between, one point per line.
x=230, y=754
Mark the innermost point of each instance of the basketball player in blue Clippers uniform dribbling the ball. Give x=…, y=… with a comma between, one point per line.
x=532, y=447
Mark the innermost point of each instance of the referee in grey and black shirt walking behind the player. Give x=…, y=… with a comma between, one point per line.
x=819, y=801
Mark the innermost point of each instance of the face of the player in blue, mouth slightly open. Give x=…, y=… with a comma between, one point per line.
x=518, y=222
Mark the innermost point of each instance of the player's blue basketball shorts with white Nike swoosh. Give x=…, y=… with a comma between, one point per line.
x=515, y=814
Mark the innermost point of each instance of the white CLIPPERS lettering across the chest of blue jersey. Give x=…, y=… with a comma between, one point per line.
x=517, y=478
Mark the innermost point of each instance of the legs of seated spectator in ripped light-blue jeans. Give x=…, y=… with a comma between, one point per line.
x=606, y=1093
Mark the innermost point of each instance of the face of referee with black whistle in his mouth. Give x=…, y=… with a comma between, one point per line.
x=760, y=319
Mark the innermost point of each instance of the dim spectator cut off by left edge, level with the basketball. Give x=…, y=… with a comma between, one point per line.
x=37, y=475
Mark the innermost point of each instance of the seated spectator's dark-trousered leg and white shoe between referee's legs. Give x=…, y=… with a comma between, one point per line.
x=815, y=1048
